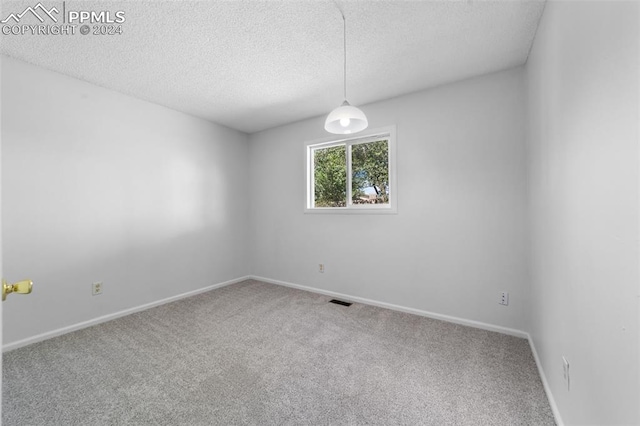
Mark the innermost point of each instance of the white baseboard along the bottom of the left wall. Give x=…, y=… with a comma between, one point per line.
x=109, y=317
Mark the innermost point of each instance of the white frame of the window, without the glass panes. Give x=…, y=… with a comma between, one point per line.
x=388, y=133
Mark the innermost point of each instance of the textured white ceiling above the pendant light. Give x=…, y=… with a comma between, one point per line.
x=252, y=65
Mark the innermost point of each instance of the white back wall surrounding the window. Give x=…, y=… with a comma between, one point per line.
x=459, y=237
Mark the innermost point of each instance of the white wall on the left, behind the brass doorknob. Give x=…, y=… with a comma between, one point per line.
x=99, y=186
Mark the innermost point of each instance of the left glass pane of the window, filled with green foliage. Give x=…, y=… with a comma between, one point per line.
x=330, y=176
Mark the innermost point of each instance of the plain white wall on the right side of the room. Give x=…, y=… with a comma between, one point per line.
x=583, y=87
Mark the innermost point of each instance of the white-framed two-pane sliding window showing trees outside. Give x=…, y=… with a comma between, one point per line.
x=354, y=175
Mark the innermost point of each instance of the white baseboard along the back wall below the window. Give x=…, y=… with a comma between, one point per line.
x=448, y=318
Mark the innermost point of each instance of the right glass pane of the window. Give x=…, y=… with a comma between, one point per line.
x=370, y=172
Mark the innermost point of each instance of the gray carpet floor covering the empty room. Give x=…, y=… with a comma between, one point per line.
x=260, y=354
